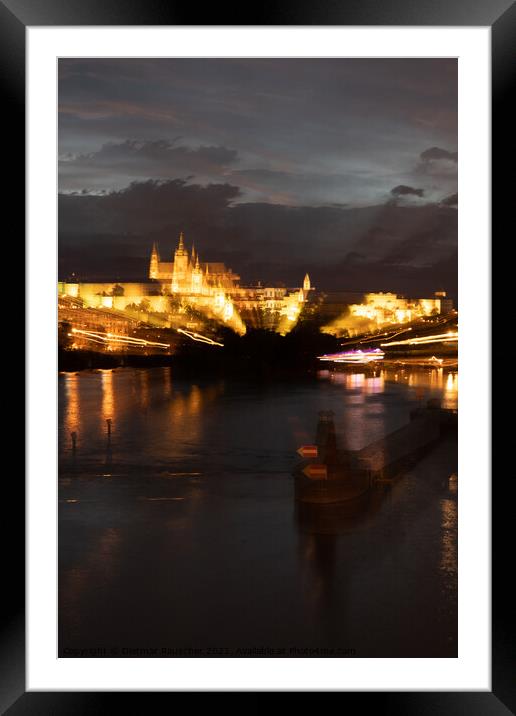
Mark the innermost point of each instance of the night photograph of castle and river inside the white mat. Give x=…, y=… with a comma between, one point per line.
x=258, y=365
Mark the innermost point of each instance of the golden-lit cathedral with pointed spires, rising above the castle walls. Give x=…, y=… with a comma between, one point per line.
x=186, y=274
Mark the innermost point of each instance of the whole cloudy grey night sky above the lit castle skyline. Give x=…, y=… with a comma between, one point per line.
x=344, y=168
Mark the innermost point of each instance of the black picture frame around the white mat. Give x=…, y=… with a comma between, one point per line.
x=15, y=17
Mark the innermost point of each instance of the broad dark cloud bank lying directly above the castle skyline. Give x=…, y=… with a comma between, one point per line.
x=110, y=236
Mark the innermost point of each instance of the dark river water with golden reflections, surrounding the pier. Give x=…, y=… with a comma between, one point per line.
x=179, y=534
